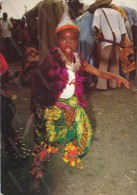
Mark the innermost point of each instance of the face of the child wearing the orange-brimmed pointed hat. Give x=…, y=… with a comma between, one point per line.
x=68, y=41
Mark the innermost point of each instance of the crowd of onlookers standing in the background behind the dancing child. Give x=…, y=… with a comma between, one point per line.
x=31, y=30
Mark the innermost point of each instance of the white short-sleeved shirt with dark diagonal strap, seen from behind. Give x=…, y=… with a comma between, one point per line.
x=116, y=21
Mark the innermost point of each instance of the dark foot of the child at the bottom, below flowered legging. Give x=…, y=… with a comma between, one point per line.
x=35, y=186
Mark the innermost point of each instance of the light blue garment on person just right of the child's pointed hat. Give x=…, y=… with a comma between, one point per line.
x=86, y=42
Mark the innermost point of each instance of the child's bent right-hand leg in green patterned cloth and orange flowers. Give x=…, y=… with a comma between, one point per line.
x=78, y=146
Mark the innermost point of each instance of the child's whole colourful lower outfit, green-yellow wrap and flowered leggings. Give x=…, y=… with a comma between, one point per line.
x=64, y=122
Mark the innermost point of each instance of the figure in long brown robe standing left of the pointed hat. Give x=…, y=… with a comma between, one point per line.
x=45, y=16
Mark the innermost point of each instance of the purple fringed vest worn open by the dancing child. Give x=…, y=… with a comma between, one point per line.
x=56, y=75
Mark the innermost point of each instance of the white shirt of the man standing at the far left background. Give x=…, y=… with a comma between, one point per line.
x=5, y=26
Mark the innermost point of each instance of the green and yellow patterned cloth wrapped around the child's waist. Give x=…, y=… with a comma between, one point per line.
x=63, y=122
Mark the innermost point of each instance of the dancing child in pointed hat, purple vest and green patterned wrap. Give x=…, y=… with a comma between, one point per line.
x=58, y=102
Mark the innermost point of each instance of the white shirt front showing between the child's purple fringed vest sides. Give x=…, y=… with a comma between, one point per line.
x=70, y=87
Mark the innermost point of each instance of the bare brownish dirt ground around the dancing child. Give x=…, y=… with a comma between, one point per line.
x=110, y=167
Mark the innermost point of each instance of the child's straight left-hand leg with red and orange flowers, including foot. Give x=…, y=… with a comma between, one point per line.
x=42, y=152
